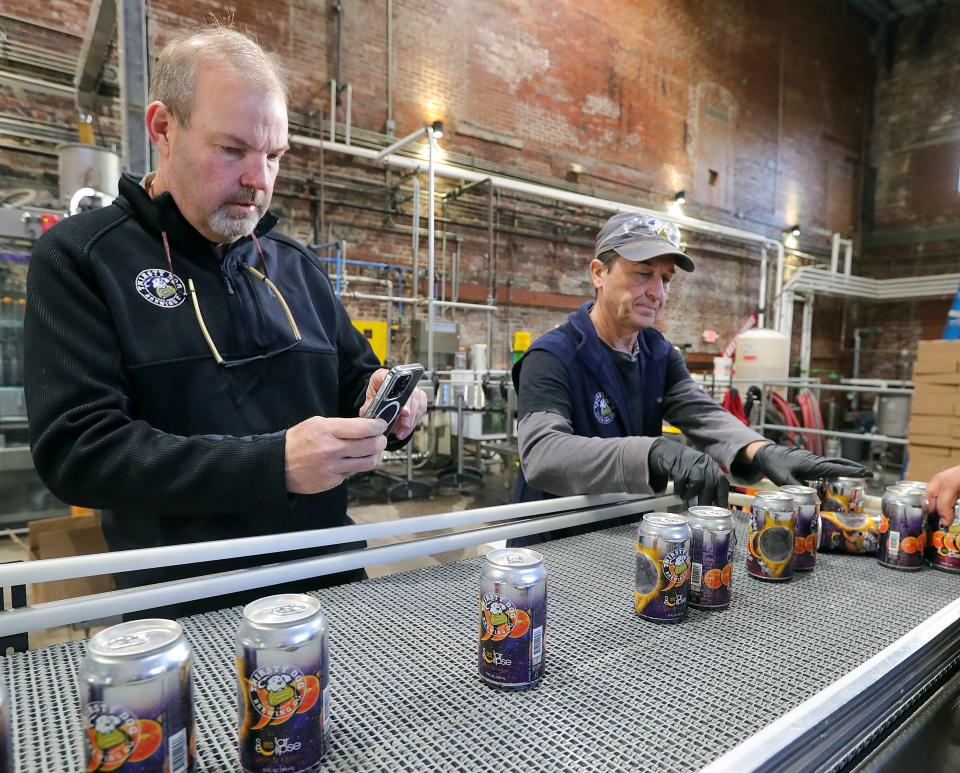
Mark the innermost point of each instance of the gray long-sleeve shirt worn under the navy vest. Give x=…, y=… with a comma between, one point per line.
x=558, y=461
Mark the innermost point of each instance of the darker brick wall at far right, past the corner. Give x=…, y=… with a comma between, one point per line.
x=915, y=149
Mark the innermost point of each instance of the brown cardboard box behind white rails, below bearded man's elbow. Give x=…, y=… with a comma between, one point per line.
x=69, y=536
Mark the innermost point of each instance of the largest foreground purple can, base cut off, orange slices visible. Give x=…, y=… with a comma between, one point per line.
x=136, y=696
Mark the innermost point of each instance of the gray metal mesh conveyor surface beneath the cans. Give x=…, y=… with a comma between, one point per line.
x=620, y=693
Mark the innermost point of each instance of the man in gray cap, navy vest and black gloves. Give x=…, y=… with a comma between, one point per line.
x=593, y=393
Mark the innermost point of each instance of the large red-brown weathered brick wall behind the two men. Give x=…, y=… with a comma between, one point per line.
x=756, y=109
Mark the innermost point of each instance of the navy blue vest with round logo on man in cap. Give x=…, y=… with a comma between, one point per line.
x=600, y=406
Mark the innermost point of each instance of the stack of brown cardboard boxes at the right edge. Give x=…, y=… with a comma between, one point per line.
x=934, y=432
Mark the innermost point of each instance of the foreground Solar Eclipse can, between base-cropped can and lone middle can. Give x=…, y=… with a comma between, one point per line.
x=283, y=684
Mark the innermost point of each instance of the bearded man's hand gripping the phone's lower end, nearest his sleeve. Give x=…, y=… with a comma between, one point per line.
x=321, y=452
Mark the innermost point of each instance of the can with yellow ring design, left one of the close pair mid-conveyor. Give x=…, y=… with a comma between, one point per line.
x=662, y=582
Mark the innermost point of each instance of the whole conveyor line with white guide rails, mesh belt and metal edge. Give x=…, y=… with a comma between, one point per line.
x=851, y=667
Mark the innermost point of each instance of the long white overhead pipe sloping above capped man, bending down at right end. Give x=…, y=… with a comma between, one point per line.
x=545, y=191
